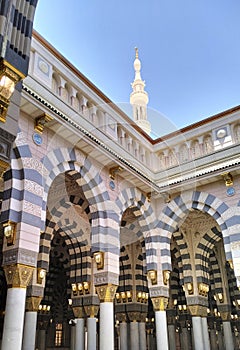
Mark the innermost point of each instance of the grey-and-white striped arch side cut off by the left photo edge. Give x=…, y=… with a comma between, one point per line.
x=22, y=201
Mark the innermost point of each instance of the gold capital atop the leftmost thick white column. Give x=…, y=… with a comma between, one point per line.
x=18, y=275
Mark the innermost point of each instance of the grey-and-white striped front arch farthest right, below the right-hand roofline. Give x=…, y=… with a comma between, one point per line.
x=175, y=212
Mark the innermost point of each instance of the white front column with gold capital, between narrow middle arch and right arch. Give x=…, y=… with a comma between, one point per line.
x=160, y=305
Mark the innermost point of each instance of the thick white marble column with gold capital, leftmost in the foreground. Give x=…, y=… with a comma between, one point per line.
x=18, y=277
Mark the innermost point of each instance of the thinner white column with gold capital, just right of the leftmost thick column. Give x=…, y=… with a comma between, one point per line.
x=30, y=323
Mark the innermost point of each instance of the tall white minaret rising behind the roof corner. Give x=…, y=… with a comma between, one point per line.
x=139, y=98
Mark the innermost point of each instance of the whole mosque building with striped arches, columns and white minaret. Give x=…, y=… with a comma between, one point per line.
x=110, y=239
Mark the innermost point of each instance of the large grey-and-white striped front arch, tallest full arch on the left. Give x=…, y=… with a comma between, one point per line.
x=105, y=236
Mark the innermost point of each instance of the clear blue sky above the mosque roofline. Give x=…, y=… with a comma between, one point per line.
x=189, y=50
